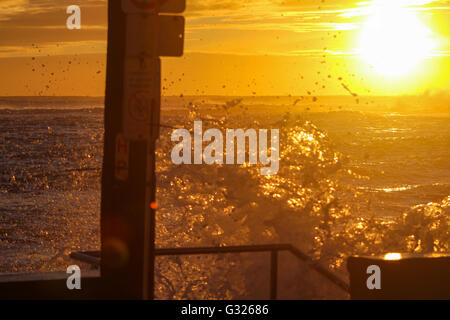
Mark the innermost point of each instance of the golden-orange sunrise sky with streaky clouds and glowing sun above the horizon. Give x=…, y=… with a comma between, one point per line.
x=241, y=47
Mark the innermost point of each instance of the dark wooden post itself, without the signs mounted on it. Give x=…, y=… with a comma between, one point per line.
x=128, y=180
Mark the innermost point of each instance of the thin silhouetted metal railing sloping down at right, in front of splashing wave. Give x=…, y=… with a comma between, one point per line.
x=93, y=257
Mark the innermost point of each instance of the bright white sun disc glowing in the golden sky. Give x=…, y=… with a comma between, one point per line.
x=393, y=39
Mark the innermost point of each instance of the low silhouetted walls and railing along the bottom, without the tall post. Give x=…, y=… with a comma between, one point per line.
x=392, y=276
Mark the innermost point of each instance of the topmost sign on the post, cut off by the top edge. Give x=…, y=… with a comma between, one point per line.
x=143, y=6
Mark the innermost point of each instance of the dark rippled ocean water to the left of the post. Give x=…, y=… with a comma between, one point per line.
x=49, y=177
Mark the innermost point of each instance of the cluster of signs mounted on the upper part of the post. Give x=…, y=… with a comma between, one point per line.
x=148, y=36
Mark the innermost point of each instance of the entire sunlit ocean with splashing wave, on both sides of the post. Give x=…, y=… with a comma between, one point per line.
x=352, y=165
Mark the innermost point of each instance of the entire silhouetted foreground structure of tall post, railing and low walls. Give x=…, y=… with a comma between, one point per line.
x=127, y=255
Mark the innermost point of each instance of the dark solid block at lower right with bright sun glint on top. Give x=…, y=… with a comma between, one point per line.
x=397, y=276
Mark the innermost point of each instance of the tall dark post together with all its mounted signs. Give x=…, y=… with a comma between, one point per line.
x=137, y=37
